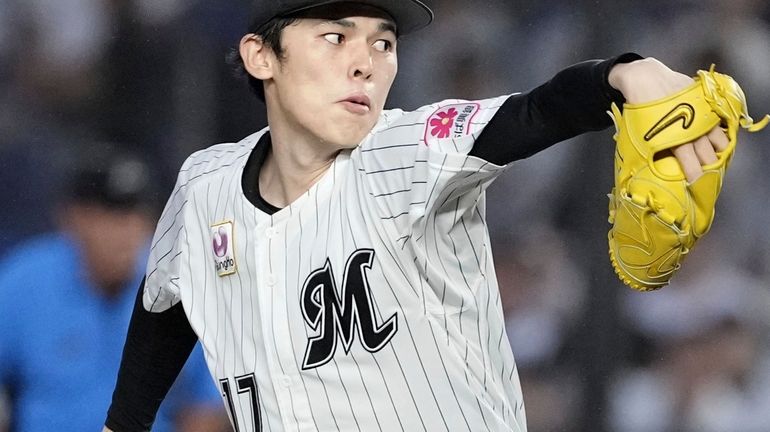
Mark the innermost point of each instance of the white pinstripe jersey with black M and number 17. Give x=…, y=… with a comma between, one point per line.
x=368, y=304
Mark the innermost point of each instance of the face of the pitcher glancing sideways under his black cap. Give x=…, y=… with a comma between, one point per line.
x=335, y=76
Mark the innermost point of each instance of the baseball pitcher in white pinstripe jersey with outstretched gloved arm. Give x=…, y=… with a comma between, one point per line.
x=336, y=265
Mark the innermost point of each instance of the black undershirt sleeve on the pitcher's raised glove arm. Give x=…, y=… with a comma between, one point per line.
x=574, y=101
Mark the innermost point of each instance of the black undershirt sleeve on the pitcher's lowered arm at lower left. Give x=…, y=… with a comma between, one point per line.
x=156, y=349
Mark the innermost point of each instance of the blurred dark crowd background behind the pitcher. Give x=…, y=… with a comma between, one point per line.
x=81, y=78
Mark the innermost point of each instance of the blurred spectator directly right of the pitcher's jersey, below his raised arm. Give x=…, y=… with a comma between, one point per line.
x=542, y=290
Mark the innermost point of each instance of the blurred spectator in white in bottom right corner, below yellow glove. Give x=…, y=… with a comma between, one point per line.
x=708, y=369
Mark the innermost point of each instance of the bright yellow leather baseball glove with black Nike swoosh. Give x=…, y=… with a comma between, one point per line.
x=656, y=214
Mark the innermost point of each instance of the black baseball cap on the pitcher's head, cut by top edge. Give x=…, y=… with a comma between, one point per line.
x=409, y=15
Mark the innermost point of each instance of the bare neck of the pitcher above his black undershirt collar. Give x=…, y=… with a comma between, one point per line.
x=293, y=165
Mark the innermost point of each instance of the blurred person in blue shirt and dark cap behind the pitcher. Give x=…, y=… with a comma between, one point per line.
x=65, y=303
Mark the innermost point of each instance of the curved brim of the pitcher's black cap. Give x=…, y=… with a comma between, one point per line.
x=409, y=15
